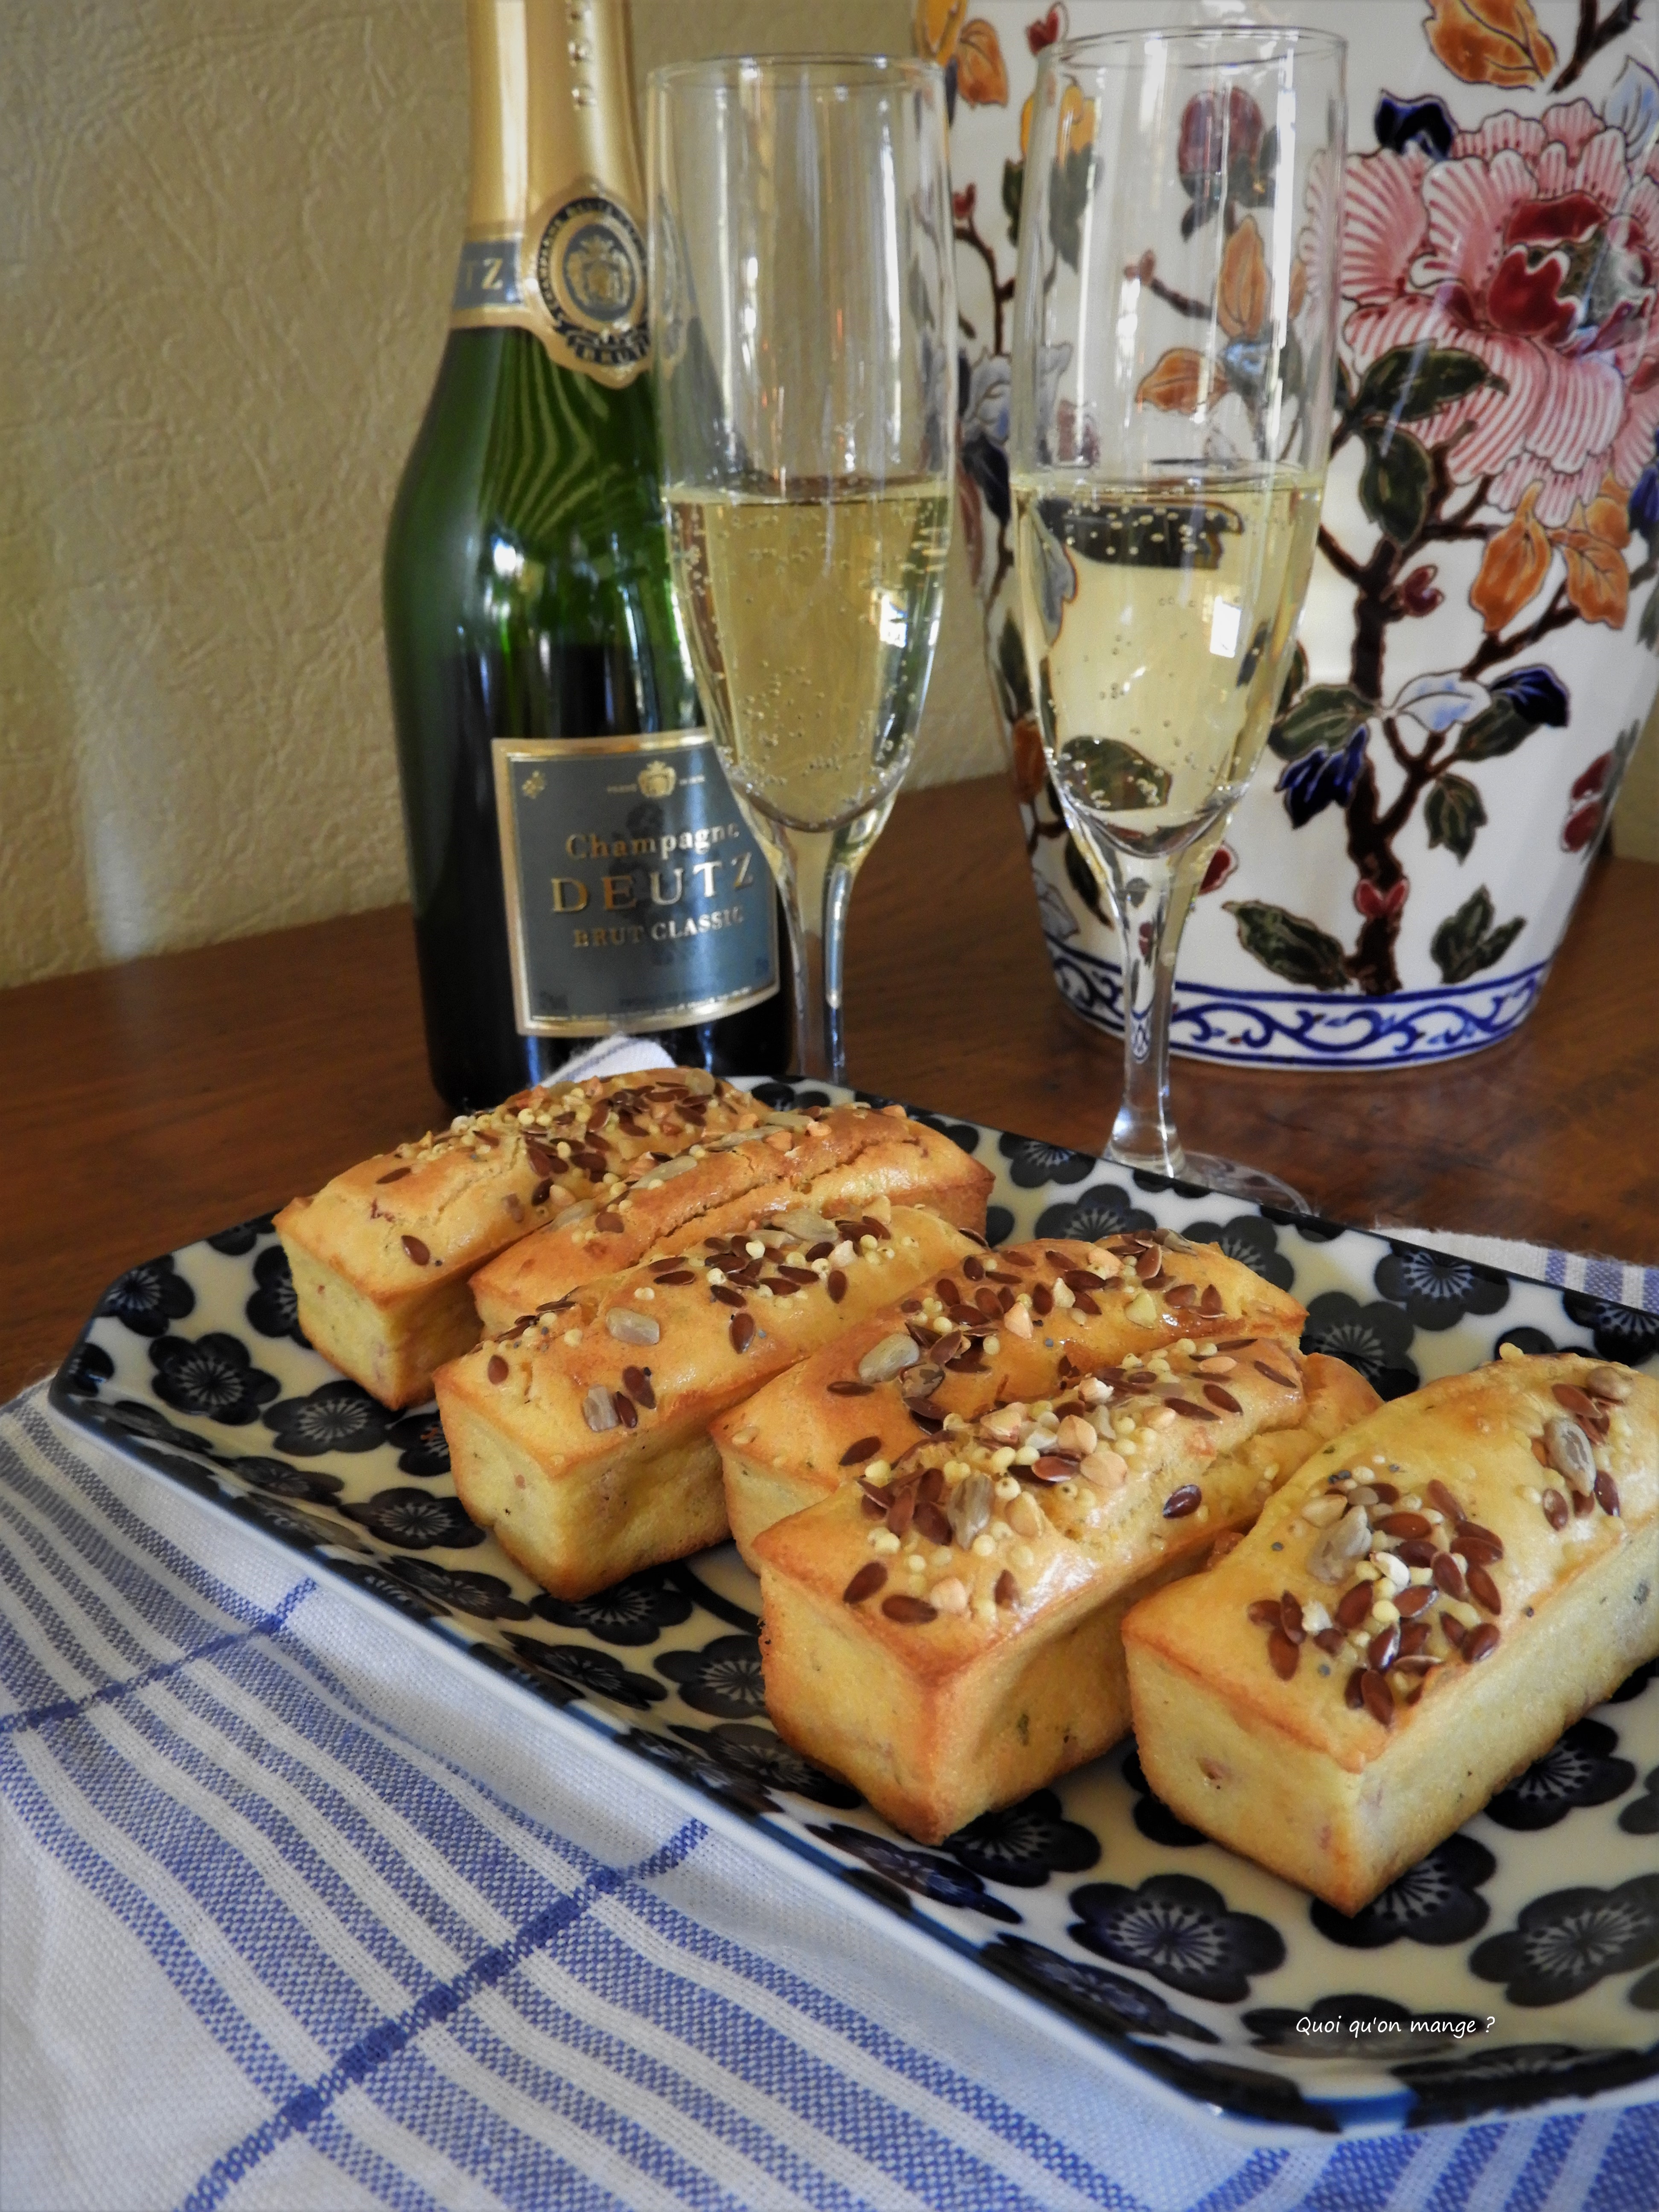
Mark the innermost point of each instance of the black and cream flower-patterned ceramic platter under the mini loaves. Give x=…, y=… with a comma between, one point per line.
x=1198, y=1968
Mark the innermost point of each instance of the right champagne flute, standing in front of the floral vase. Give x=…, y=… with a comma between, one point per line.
x=1173, y=344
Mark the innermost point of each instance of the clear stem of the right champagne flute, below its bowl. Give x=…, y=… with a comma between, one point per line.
x=1151, y=897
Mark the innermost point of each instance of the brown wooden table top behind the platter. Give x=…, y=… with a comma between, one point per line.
x=163, y=1100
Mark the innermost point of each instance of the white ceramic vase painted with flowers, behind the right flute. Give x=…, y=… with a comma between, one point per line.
x=1479, y=645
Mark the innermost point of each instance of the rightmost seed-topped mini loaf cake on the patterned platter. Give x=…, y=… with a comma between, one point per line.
x=1415, y=1620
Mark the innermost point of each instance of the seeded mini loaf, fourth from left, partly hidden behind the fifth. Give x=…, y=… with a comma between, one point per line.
x=1010, y=1324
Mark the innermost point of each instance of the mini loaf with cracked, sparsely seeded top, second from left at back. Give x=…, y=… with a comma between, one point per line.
x=833, y=1167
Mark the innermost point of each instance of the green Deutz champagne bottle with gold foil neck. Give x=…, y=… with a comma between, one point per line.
x=576, y=859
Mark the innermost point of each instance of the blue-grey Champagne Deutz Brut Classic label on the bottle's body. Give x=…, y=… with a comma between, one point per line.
x=636, y=893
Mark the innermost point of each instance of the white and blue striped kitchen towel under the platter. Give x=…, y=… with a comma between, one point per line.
x=295, y=1914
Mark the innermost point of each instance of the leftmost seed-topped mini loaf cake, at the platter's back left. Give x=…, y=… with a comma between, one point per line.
x=382, y=1258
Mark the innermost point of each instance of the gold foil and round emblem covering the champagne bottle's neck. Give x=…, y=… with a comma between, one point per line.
x=556, y=178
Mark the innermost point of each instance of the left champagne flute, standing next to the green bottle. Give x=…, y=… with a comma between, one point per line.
x=804, y=359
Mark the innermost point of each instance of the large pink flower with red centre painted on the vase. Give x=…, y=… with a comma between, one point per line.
x=1536, y=249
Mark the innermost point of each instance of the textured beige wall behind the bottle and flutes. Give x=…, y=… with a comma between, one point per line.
x=227, y=247
